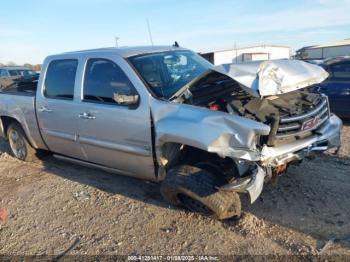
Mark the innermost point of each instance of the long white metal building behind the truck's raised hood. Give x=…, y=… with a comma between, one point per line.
x=253, y=53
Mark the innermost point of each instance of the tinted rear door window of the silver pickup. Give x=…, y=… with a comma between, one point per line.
x=60, y=79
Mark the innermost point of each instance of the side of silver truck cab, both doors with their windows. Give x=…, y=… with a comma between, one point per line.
x=79, y=117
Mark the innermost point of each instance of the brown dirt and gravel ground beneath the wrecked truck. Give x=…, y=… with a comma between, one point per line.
x=50, y=206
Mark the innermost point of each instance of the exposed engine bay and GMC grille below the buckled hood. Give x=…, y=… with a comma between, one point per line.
x=291, y=116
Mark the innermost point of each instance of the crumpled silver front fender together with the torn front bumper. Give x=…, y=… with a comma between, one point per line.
x=235, y=137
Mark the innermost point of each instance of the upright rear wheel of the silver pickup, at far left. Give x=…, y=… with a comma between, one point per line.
x=19, y=145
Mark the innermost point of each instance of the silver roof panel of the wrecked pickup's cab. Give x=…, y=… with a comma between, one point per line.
x=130, y=51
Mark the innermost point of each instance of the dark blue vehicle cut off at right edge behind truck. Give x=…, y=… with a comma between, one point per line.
x=337, y=85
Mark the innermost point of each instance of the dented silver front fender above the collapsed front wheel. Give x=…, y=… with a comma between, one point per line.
x=213, y=131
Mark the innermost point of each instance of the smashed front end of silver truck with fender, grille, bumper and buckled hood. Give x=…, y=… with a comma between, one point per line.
x=254, y=114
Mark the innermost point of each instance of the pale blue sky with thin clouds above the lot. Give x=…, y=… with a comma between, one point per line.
x=32, y=29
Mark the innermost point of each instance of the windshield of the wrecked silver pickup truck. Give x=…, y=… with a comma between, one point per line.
x=166, y=72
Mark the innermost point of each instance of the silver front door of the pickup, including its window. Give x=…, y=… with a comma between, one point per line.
x=111, y=134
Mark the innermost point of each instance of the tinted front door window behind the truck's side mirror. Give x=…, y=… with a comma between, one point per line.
x=104, y=78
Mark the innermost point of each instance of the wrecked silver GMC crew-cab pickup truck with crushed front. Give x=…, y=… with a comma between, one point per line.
x=209, y=134
